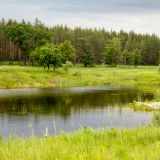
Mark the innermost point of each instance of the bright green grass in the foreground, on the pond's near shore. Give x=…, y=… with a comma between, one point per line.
x=87, y=144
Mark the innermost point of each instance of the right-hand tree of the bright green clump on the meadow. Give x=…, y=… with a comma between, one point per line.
x=68, y=52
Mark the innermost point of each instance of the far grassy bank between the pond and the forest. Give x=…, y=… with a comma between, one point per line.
x=37, y=77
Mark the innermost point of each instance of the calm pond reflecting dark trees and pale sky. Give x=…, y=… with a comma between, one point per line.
x=23, y=111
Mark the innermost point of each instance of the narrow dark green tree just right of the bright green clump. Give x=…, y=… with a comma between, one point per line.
x=86, y=56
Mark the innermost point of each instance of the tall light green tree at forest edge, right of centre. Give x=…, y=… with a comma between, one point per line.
x=112, y=52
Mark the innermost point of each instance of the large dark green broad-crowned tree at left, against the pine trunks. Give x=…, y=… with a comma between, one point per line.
x=26, y=37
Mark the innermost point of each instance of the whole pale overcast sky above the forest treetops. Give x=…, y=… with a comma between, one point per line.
x=142, y=16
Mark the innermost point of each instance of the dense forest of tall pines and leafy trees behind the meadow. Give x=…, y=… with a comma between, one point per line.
x=20, y=40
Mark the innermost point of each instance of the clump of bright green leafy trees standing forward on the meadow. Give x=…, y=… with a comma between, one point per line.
x=54, y=54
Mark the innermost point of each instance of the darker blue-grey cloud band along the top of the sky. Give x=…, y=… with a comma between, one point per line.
x=92, y=6
